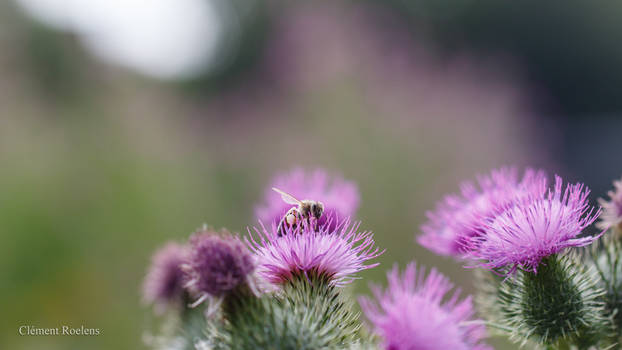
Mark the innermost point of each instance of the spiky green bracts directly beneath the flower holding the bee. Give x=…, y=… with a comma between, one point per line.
x=307, y=313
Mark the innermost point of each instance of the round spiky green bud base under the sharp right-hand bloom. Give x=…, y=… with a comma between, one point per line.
x=560, y=304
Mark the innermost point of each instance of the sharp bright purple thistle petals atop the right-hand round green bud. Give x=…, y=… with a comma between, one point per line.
x=532, y=230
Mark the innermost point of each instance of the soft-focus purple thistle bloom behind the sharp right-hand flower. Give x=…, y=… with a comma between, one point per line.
x=453, y=227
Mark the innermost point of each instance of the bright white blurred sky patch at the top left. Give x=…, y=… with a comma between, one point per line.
x=166, y=39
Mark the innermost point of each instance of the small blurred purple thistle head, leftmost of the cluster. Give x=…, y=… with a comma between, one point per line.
x=164, y=281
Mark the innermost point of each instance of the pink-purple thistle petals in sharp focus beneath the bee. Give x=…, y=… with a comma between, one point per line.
x=335, y=253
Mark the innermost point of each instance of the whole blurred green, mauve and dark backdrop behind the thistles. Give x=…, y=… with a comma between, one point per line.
x=124, y=124
